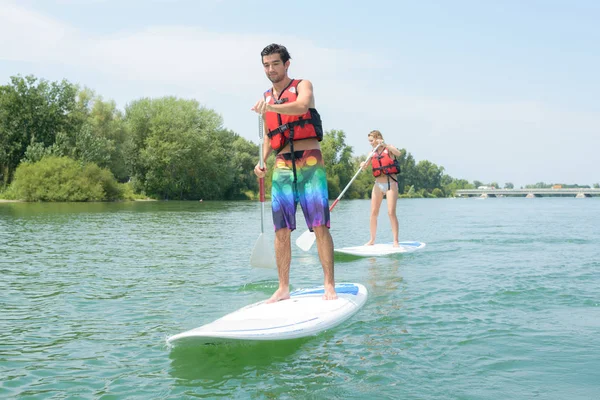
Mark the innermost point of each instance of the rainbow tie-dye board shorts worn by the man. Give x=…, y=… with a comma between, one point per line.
x=311, y=190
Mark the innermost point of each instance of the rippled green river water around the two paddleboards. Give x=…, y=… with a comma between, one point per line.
x=504, y=302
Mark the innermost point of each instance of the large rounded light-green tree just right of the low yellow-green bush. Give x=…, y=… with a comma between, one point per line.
x=177, y=158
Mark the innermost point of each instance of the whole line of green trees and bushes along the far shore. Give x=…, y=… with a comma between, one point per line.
x=60, y=142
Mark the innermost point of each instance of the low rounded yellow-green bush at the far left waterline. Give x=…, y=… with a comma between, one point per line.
x=64, y=179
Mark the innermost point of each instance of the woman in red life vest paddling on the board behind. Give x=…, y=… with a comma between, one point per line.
x=385, y=170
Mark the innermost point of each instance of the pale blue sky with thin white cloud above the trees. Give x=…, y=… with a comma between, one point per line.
x=494, y=91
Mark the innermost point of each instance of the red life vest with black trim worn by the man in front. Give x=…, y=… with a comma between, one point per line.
x=283, y=128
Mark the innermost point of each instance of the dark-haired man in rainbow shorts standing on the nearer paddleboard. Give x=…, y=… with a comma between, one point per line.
x=293, y=129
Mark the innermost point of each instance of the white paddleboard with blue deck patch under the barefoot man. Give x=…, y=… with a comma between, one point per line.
x=305, y=313
